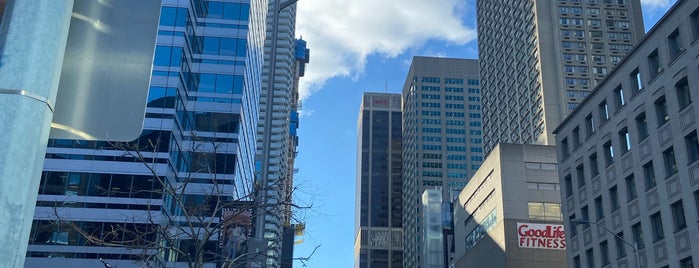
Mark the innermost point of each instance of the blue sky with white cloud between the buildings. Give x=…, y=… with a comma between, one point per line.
x=365, y=46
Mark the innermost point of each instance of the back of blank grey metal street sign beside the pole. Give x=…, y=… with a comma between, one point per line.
x=106, y=72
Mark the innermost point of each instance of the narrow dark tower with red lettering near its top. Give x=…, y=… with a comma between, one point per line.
x=378, y=216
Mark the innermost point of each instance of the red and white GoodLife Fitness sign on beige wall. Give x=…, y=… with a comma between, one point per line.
x=543, y=236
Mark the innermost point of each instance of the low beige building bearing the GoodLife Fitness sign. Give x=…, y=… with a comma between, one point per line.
x=509, y=214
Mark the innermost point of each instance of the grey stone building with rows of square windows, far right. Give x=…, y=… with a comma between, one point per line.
x=629, y=155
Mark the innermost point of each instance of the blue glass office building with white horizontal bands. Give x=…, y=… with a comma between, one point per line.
x=199, y=133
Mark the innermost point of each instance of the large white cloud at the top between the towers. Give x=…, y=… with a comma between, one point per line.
x=341, y=34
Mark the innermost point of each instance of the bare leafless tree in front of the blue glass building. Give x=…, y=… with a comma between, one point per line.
x=204, y=220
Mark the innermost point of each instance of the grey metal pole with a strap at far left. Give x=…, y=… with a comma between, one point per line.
x=33, y=36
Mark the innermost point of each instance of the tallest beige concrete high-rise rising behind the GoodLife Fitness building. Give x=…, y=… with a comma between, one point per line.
x=539, y=59
